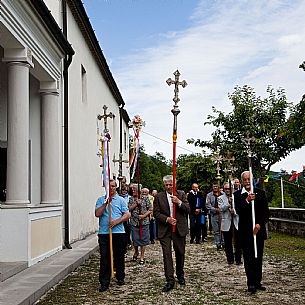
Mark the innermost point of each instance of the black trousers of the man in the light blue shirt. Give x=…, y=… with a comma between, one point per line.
x=118, y=245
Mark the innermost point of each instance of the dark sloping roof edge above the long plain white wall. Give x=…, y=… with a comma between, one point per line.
x=85, y=26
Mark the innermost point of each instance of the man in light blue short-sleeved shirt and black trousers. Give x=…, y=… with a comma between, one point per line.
x=119, y=214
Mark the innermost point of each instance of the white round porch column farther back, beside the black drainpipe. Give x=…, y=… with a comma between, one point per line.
x=49, y=146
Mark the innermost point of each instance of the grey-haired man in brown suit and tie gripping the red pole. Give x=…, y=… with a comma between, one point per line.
x=163, y=212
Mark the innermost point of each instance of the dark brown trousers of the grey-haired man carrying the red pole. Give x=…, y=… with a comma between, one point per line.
x=179, y=248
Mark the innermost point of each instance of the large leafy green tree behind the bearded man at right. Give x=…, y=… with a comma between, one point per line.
x=272, y=121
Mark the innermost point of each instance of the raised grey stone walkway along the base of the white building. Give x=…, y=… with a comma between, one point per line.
x=28, y=286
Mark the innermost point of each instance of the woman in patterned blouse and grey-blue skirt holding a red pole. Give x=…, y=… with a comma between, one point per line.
x=140, y=209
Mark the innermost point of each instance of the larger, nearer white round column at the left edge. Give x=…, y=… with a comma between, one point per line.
x=18, y=133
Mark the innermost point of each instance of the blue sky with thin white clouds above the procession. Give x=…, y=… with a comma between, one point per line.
x=216, y=45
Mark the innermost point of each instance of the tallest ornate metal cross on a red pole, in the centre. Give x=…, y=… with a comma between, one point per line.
x=175, y=111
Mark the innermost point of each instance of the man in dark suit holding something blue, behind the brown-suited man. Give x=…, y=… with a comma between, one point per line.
x=197, y=206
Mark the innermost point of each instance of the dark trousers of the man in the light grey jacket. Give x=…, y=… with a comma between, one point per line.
x=229, y=241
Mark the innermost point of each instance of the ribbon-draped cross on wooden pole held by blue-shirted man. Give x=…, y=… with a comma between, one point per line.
x=105, y=116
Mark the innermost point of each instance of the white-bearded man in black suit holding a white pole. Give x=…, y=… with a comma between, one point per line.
x=242, y=199
